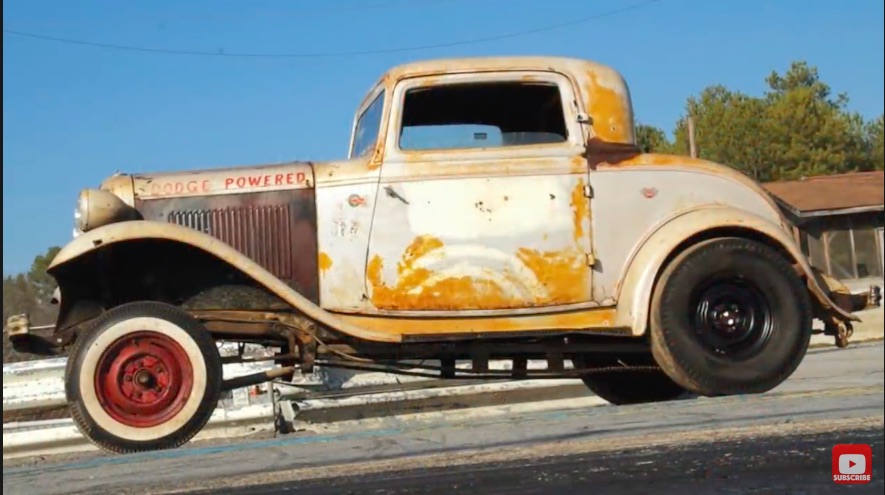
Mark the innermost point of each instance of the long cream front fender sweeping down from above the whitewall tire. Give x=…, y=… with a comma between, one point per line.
x=138, y=230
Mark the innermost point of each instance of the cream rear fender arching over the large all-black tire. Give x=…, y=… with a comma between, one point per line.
x=648, y=261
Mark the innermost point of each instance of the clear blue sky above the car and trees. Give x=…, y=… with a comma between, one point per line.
x=72, y=115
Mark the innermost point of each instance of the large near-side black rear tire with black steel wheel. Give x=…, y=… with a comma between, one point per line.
x=730, y=316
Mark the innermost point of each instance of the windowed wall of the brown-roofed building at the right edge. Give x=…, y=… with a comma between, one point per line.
x=847, y=248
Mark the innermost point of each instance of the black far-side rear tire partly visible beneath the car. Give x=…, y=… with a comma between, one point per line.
x=629, y=387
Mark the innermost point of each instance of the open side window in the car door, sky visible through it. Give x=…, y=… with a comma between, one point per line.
x=482, y=115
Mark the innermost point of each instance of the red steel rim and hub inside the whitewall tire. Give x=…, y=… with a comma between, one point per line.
x=144, y=379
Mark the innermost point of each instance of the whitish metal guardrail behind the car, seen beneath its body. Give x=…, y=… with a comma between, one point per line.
x=32, y=386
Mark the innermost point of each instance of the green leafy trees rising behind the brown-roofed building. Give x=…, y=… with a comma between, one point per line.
x=796, y=128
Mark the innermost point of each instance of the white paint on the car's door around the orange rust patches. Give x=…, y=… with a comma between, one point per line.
x=480, y=231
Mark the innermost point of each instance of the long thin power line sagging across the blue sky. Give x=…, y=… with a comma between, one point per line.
x=222, y=53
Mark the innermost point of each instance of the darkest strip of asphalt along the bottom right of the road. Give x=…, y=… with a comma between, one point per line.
x=769, y=464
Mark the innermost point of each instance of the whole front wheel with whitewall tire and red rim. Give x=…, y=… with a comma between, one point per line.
x=146, y=376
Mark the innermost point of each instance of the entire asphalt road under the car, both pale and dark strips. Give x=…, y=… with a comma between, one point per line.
x=779, y=442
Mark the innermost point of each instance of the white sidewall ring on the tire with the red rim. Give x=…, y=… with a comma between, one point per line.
x=104, y=341
